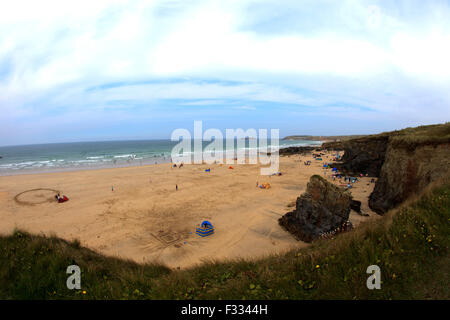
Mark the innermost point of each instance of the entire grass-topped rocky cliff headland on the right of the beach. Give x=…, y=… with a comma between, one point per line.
x=405, y=161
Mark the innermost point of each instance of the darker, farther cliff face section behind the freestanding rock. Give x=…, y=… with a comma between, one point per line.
x=364, y=155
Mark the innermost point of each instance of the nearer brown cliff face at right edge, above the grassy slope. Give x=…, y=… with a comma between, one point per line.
x=406, y=171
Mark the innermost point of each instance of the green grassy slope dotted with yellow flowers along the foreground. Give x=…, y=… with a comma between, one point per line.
x=410, y=245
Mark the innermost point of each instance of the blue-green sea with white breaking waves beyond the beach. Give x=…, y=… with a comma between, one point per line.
x=25, y=159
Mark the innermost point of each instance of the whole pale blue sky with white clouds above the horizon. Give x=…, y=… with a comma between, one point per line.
x=113, y=70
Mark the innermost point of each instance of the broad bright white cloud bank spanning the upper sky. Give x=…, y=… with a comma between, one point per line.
x=54, y=42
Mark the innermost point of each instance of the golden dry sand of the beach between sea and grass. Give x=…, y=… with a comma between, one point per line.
x=146, y=219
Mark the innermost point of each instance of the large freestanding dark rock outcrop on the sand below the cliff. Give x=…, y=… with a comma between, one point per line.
x=322, y=209
